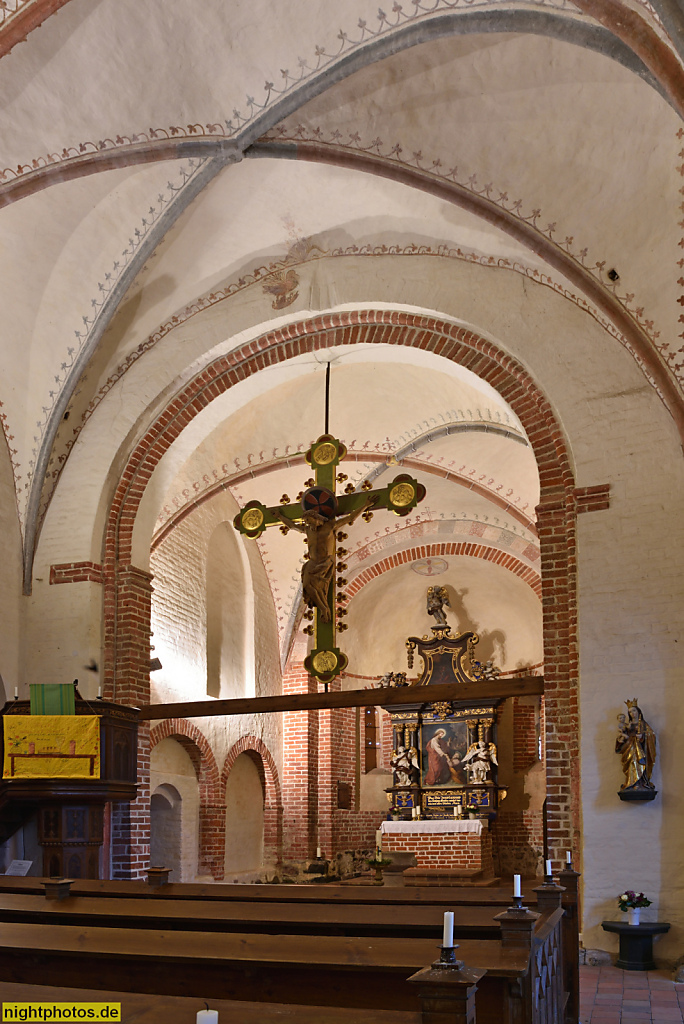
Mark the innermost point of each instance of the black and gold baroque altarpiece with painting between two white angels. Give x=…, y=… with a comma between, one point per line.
x=445, y=754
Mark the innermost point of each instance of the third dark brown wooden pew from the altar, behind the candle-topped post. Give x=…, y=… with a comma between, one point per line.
x=326, y=971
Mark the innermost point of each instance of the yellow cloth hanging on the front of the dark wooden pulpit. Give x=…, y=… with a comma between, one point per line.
x=52, y=747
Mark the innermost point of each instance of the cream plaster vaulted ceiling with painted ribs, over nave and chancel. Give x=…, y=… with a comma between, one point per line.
x=433, y=136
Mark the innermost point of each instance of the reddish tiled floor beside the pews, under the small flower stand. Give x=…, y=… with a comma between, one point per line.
x=612, y=997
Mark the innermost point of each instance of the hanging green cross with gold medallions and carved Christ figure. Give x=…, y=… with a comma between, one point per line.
x=321, y=516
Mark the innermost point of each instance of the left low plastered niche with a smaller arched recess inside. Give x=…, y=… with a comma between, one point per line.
x=176, y=802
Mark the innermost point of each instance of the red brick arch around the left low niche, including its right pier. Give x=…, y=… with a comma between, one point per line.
x=212, y=804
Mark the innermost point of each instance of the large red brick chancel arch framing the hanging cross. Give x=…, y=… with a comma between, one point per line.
x=129, y=592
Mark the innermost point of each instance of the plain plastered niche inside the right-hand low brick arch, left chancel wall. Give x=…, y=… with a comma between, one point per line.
x=244, y=817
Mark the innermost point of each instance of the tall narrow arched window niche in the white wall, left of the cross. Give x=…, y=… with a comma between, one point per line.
x=230, y=617
